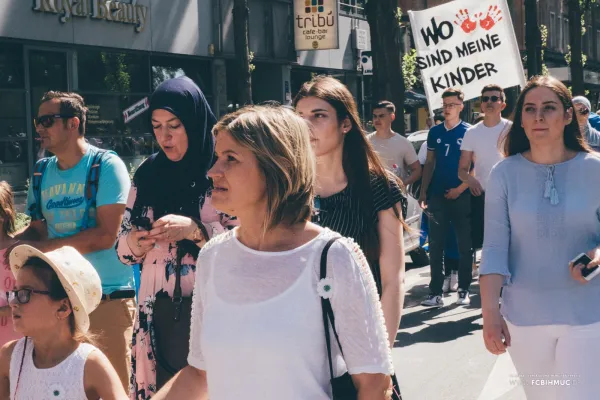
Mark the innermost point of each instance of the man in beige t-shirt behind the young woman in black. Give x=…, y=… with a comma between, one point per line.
x=395, y=151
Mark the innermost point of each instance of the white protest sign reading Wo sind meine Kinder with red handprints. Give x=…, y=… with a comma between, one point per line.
x=466, y=44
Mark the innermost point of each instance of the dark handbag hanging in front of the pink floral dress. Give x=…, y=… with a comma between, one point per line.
x=171, y=320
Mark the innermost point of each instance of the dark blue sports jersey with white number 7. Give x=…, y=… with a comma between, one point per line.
x=446, y=144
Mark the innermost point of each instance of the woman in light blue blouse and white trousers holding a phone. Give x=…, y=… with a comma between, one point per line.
x=542, y=210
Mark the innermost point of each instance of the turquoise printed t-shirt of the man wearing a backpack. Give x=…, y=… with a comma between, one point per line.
x=63, y=205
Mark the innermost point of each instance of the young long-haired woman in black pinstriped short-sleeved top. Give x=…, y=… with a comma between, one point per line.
x=355, y=195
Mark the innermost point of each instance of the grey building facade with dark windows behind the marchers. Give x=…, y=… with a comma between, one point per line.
x=116, y=53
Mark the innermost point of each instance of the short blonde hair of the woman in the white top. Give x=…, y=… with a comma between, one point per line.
x=280, y=141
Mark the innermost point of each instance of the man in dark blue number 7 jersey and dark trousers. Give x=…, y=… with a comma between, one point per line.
x=447, y=199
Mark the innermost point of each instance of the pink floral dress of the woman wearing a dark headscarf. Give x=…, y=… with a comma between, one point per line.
x=158, y=275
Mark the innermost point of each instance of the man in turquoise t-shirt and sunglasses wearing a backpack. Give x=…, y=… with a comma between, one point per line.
x=70, y=207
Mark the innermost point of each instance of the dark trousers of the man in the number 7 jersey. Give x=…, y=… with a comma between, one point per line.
x=458, y=212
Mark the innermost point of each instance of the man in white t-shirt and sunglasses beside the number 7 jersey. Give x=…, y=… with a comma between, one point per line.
x=481, y=144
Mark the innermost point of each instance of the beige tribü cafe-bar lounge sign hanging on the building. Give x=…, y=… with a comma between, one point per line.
x=316, y=25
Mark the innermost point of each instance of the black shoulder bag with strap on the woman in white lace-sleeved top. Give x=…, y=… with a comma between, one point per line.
x=342, y=387
